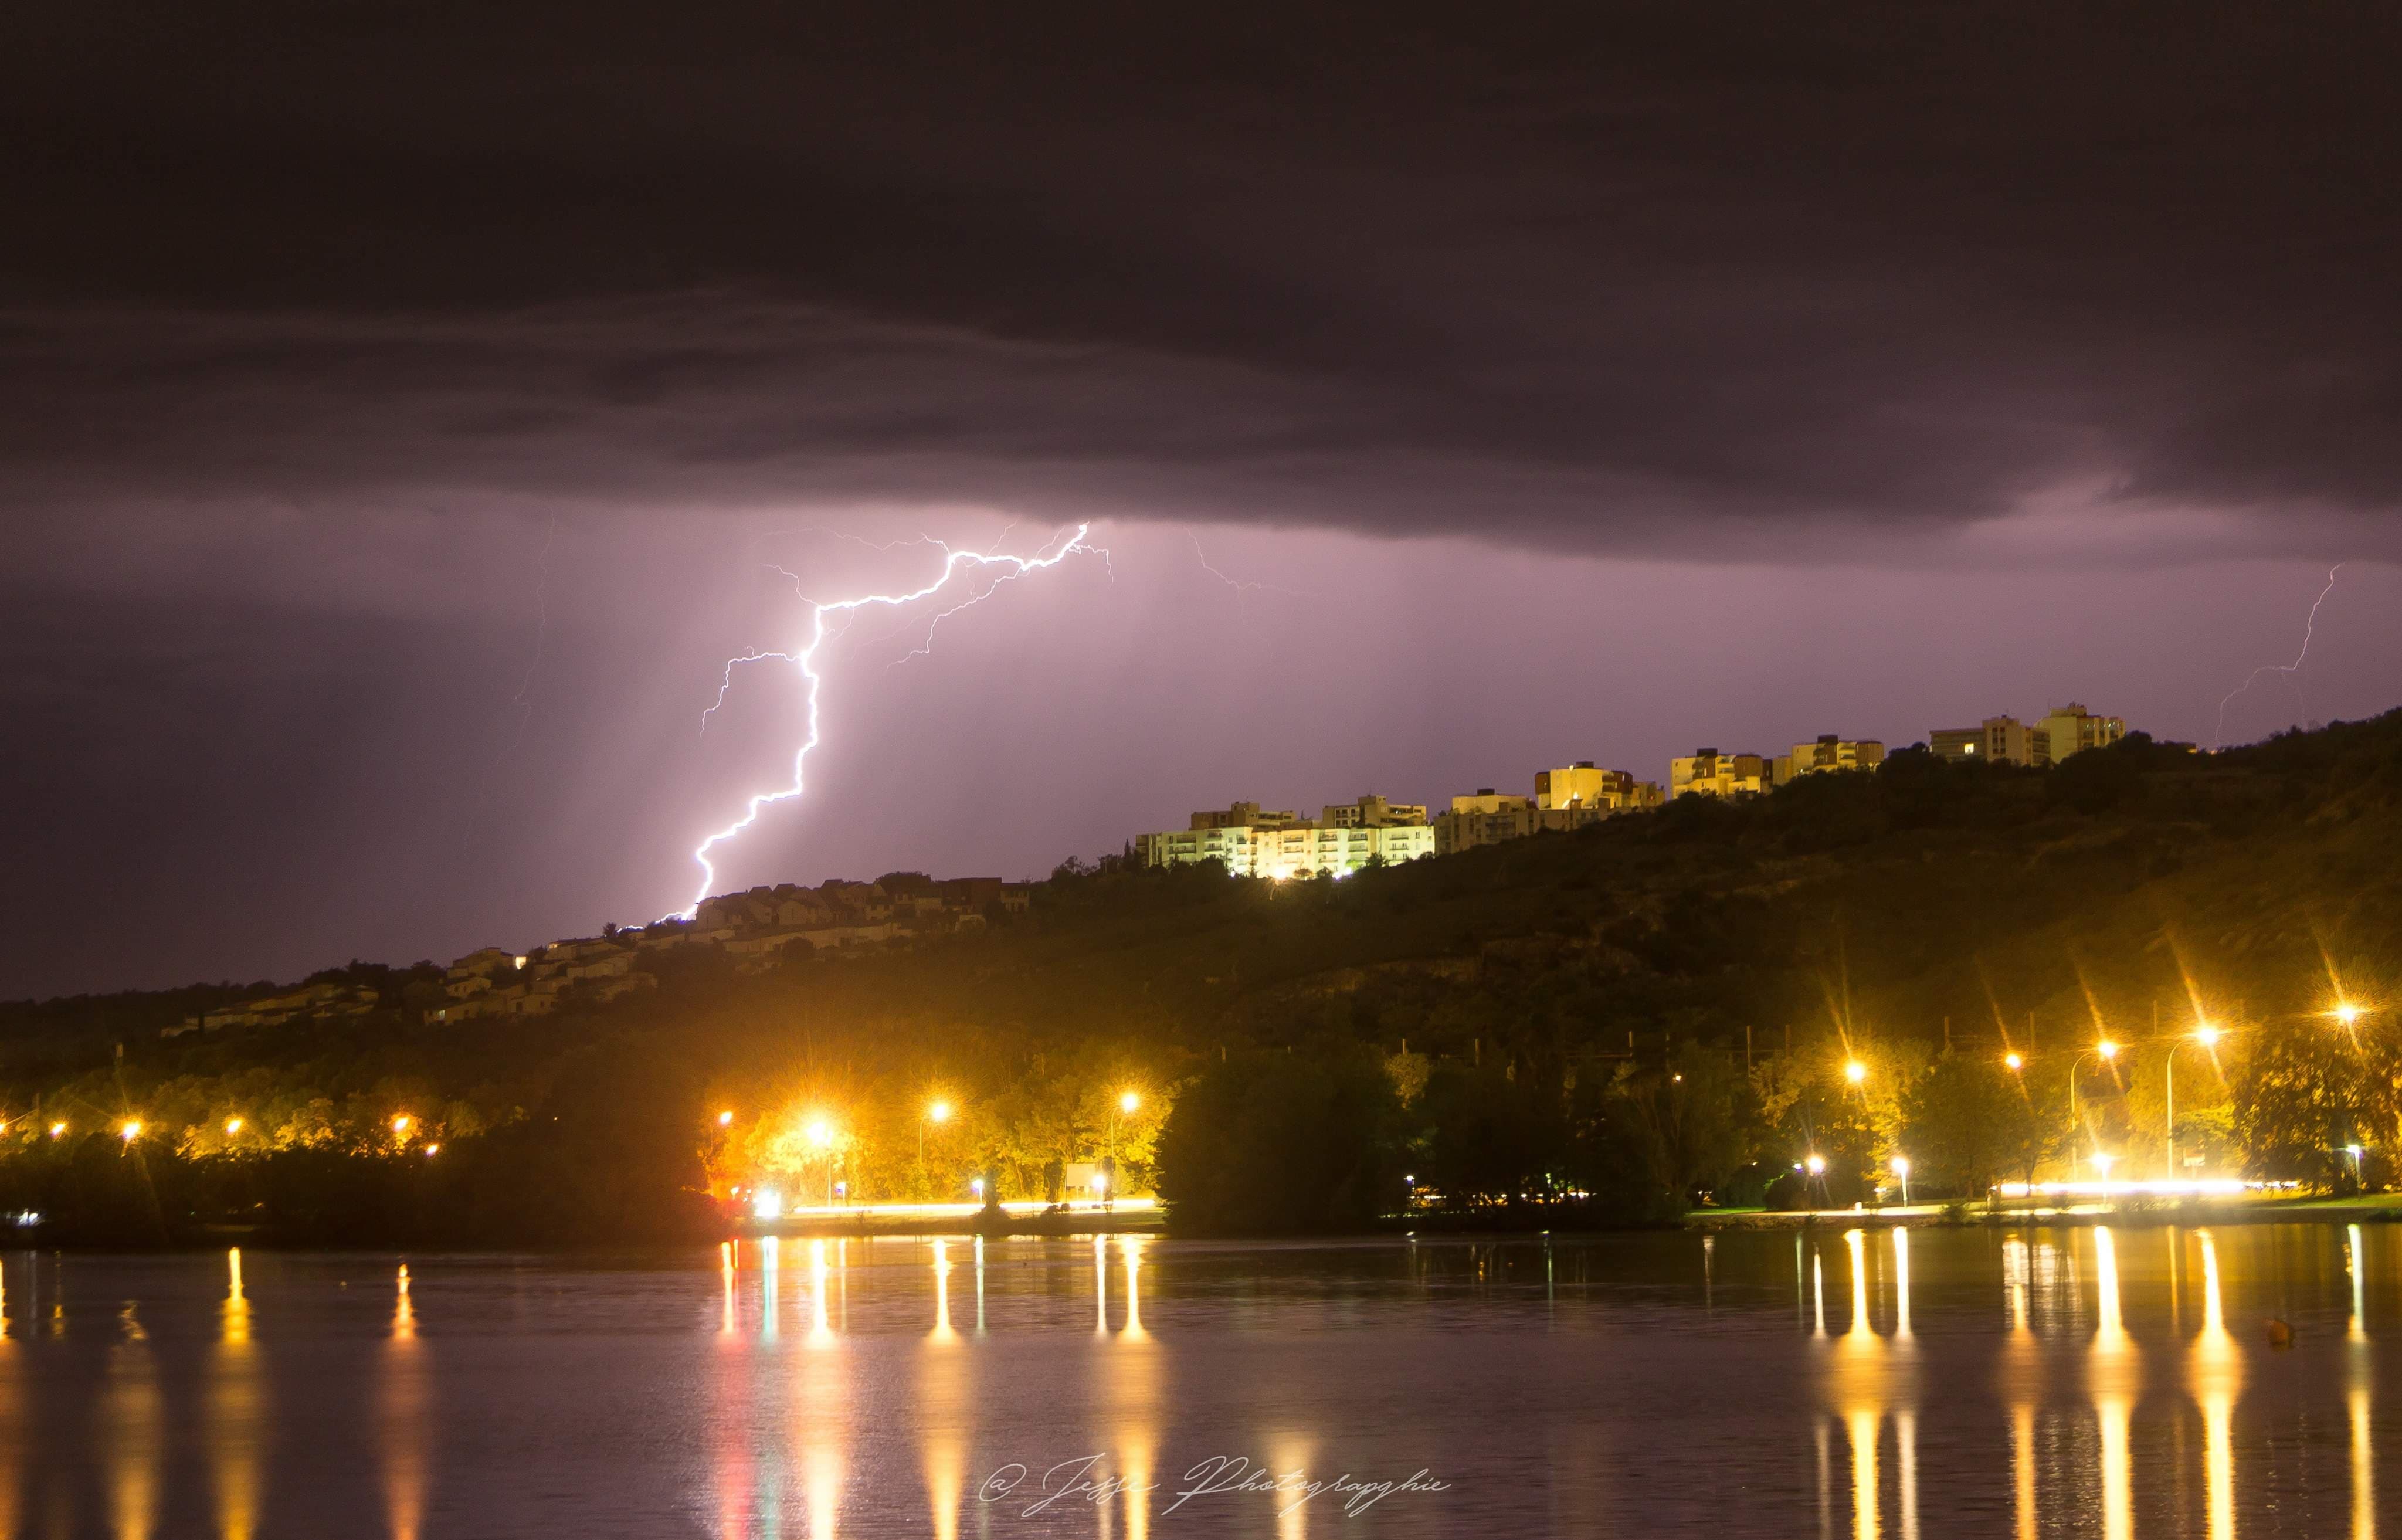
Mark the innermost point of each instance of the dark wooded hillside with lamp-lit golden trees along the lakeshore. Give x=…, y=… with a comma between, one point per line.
x=1575, y=1015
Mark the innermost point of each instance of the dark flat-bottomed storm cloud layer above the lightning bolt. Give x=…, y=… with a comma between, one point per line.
x=1615, y=280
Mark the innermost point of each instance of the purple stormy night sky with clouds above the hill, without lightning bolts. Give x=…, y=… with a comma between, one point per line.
x=407, y=410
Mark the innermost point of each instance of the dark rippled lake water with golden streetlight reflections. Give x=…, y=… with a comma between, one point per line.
x=1942, y=1383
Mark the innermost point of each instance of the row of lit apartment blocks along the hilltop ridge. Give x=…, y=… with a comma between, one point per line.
x=1253, y=842
